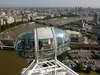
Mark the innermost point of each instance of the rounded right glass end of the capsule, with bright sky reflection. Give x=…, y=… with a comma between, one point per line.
x=62, y=40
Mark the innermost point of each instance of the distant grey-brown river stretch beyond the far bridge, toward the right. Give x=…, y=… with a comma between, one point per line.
x=65, y=20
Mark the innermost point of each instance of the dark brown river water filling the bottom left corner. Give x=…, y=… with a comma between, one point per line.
x=10, y=63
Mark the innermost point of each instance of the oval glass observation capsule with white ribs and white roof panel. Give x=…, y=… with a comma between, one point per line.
x=41, y=41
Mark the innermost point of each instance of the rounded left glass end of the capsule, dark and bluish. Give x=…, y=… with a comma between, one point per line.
x=25, y=46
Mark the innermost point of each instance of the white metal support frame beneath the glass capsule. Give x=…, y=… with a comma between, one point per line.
x=53, y=68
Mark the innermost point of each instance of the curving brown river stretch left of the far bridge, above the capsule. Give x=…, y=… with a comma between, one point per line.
x=15, y=31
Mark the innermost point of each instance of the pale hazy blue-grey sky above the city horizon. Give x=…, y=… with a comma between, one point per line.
x=50, y=3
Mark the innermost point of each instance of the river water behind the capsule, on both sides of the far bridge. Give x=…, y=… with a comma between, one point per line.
x=15, y=31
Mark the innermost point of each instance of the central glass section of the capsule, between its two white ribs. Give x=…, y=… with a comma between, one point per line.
x=46, y=48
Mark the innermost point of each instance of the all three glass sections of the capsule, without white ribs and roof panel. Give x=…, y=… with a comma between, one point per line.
x=25, y=44
